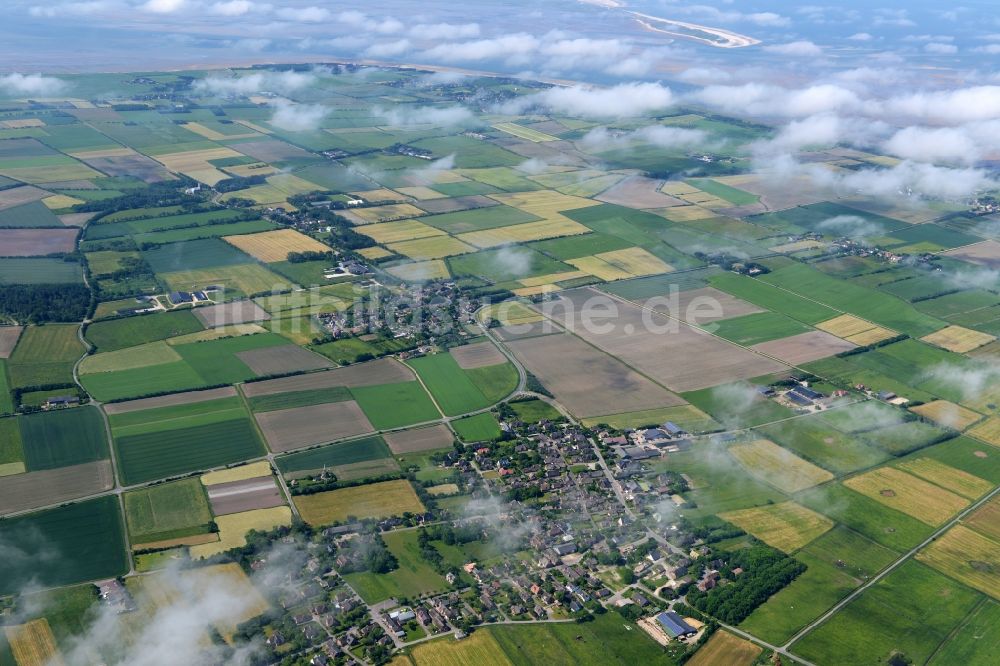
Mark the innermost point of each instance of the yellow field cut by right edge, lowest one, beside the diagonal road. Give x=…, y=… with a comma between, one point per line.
x=967, y=556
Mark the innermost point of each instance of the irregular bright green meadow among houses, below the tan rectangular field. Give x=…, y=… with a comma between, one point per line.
x=413, y=578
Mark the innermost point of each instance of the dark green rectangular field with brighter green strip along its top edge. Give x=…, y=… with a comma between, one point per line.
x=158, y=455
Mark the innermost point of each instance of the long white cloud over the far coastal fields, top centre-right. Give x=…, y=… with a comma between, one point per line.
x=620, y=101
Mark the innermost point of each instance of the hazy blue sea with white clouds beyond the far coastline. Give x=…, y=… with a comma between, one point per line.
x=917, y=80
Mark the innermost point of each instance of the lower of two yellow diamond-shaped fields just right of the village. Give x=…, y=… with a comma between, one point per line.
x=786, y=526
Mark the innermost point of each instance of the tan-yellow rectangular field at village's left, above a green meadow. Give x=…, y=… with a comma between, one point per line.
x=377, y=500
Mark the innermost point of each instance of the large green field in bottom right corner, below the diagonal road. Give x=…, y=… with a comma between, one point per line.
x=913, y=610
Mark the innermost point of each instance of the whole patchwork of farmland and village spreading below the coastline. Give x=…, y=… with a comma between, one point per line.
x=517, y=375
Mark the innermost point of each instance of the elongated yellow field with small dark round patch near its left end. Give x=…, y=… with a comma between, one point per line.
x=910, y=495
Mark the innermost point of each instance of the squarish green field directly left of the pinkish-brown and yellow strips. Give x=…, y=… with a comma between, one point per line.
x=167, y=511
